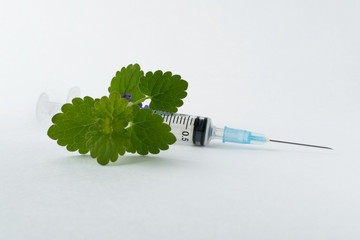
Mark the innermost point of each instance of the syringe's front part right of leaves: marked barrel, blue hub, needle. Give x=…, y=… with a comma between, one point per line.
x=195, y=130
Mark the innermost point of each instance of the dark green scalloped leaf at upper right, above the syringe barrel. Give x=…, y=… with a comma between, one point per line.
x=164, y=89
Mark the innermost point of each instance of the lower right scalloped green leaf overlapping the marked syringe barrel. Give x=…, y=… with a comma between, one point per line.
x=147, y=132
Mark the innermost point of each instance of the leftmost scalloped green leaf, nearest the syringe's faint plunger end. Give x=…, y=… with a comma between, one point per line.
x=71, y=126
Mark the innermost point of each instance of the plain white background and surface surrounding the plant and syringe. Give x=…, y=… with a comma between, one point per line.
x=289, y=69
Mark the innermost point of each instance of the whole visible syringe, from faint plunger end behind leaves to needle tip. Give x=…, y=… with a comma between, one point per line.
x=188, y=129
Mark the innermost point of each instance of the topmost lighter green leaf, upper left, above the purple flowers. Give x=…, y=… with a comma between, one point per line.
x=127, y=81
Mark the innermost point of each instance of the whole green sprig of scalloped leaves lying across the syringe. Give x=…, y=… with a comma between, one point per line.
x=115, y=124
